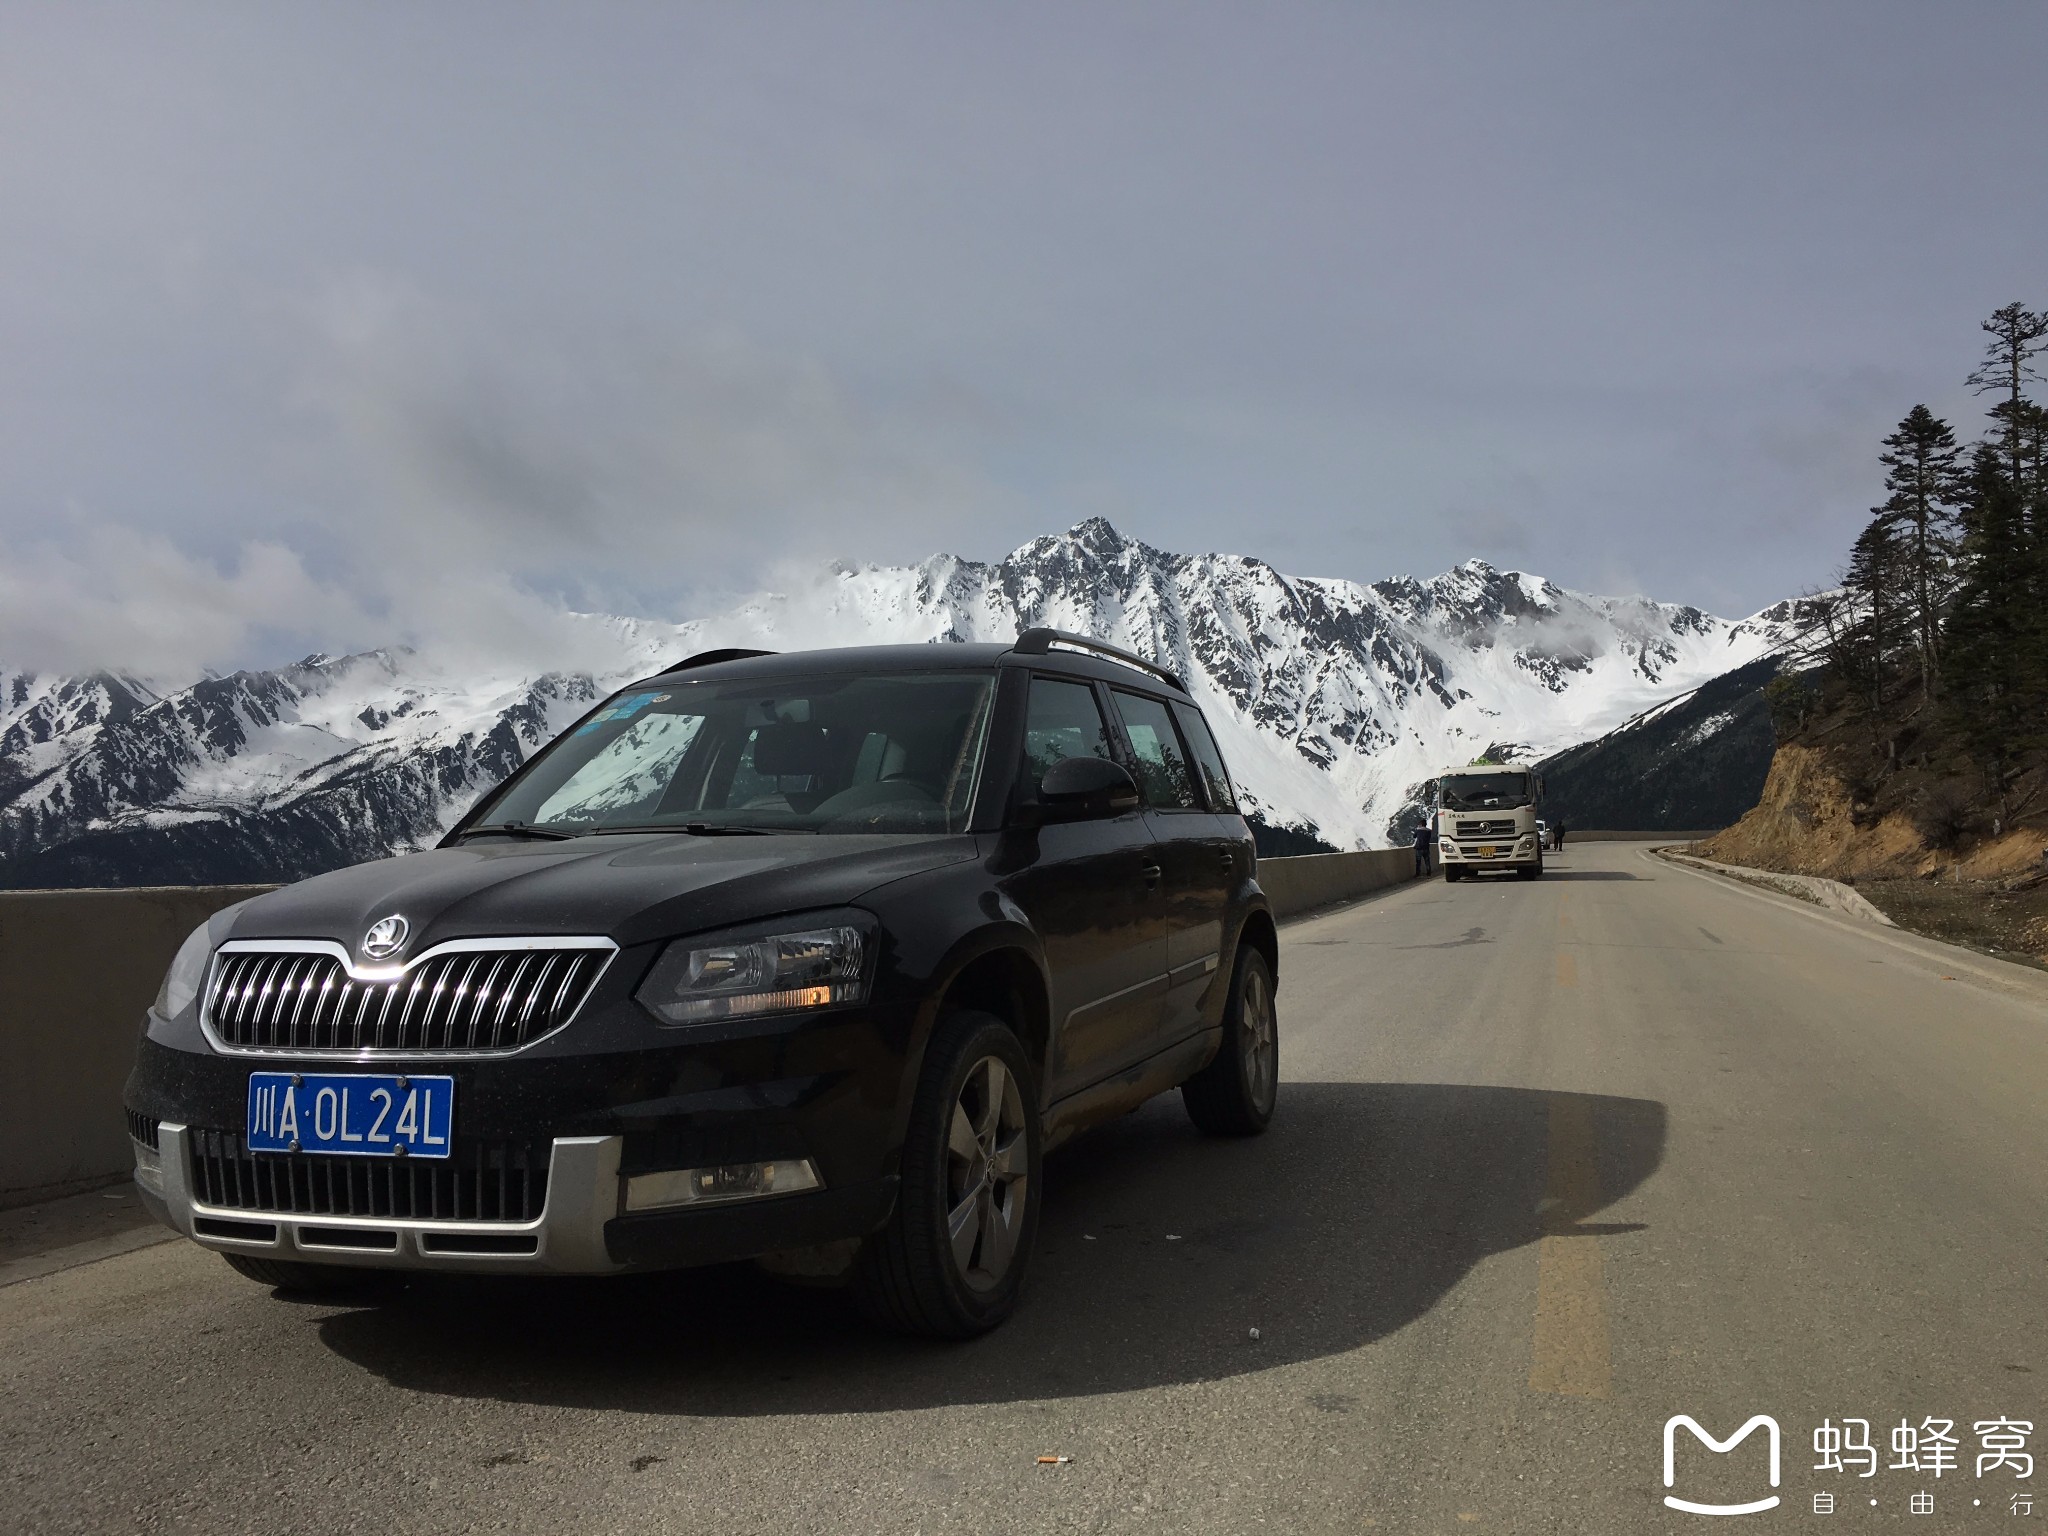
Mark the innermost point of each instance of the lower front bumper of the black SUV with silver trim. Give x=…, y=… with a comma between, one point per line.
x=579, y=1232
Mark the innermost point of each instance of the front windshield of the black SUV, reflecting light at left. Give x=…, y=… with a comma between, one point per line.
x=792, y=755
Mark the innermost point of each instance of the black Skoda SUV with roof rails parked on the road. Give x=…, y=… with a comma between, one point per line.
x=802, y=959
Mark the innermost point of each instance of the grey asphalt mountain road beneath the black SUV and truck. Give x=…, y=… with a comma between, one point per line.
x=1553, y=1164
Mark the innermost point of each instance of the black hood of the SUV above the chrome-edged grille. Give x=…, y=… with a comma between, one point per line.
x=630, y=890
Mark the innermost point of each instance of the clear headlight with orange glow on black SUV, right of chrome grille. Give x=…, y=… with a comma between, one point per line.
x=701, y=980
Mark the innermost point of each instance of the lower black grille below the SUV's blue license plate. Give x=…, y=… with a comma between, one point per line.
x=484, y=1181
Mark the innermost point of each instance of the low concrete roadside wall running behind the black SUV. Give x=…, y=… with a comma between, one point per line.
x=79, y=970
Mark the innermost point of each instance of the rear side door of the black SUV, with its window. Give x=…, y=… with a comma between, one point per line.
x=1191, y=853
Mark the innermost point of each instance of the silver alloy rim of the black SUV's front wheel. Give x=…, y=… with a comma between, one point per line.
x=988, y=1175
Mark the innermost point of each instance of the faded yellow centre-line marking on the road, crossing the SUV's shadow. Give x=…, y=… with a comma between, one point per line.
x=1572, y=1353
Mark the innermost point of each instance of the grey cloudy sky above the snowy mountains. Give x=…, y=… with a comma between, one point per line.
x=341, y=325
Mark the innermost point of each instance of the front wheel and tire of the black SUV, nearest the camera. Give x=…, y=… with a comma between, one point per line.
x=951, y=1261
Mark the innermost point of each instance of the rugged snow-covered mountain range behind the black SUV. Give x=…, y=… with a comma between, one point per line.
x=1332, y=701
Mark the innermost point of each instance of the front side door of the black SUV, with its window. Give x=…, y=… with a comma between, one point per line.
x=1093, y=892
